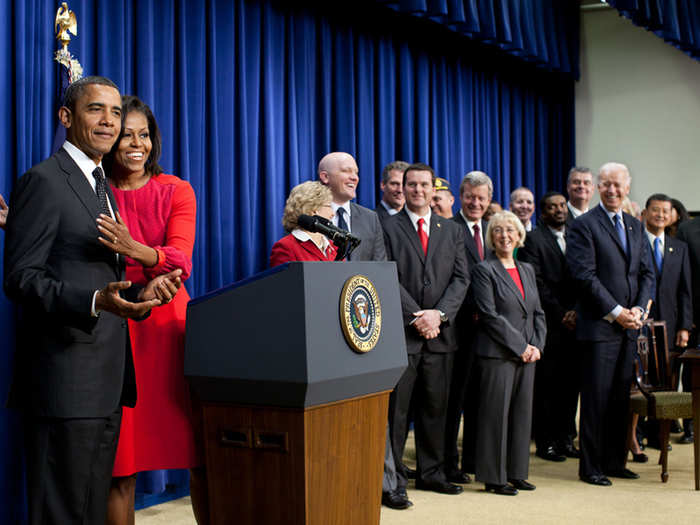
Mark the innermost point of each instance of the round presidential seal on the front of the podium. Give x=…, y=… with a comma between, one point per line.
x=360, y=313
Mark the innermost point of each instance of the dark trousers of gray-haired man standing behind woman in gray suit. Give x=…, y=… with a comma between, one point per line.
x=463, y=400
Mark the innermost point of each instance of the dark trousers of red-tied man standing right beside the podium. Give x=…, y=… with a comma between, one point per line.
x=429, y=375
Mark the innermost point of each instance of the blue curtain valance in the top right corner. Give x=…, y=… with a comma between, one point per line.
x=676, y=21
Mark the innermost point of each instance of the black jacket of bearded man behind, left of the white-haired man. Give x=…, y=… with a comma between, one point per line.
x=554, y=282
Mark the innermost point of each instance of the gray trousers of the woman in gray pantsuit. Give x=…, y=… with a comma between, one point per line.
x=504, y=420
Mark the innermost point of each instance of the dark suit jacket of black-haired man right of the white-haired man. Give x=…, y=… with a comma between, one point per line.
x=673, y=302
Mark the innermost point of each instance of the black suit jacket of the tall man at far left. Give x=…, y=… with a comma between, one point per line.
x=68, y=363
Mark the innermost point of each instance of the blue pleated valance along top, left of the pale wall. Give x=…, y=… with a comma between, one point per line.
x=544, y=32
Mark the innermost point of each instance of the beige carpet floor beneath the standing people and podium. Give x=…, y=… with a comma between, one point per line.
x=559, y=499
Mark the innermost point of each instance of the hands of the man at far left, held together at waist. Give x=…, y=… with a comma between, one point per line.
x=160, y=290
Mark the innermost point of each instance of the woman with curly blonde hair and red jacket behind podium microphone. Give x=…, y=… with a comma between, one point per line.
x=307, y=198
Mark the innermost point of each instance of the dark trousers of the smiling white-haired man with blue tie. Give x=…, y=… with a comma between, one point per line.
x=607, y=374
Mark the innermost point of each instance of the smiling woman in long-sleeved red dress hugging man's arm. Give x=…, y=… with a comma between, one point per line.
x=155, y=231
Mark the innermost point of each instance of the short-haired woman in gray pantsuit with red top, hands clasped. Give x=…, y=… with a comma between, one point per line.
x=510, y=335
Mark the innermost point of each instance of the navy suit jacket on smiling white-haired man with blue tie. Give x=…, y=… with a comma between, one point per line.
x=605, y=275
